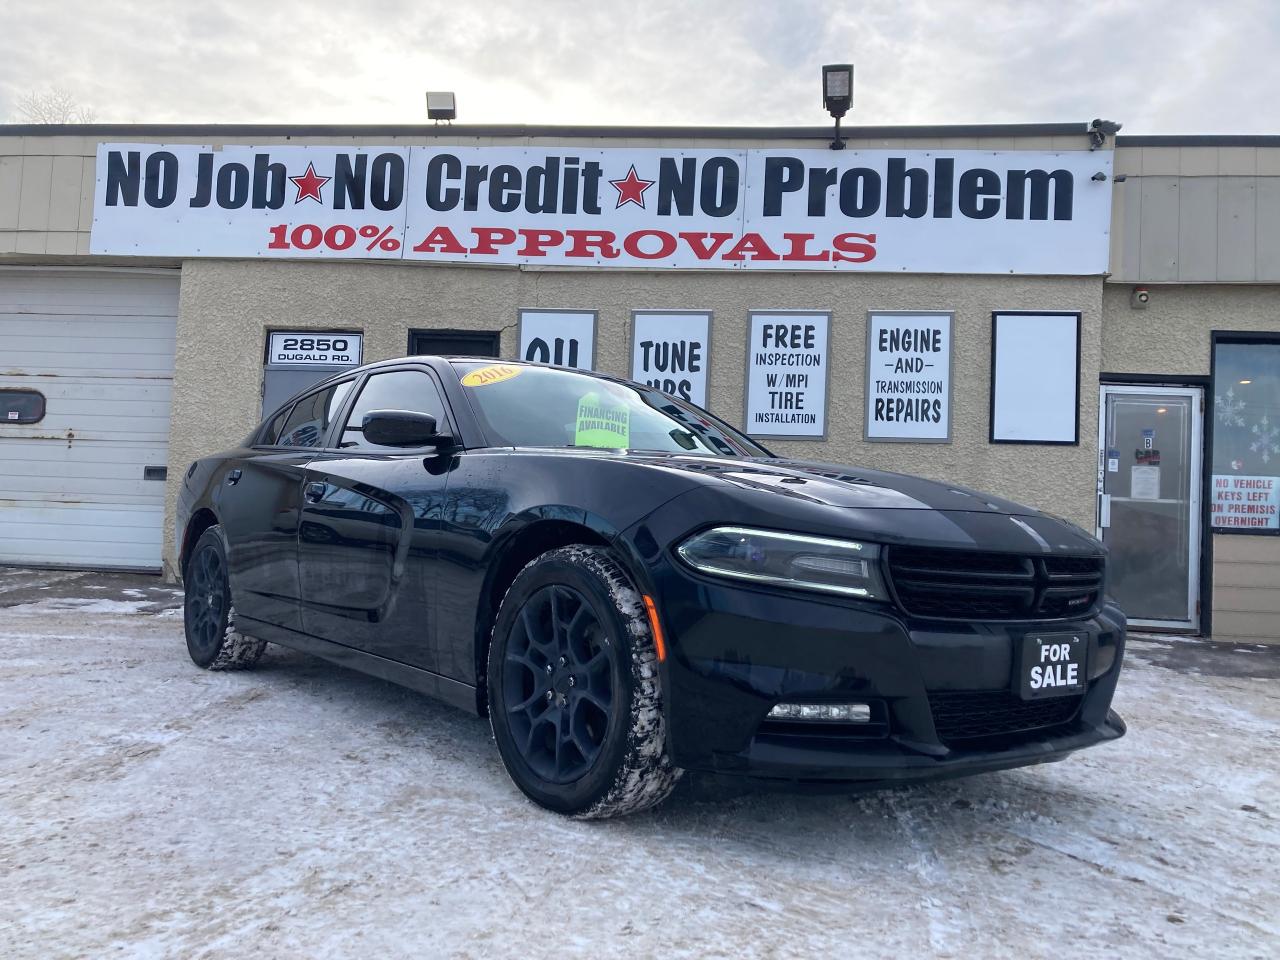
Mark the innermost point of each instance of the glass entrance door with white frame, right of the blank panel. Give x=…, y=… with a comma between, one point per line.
x=1150, y=501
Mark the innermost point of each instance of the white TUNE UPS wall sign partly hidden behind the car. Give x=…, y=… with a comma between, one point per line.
x=671, y=351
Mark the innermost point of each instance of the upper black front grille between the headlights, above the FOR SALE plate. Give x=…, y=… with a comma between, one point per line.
x=971, y=586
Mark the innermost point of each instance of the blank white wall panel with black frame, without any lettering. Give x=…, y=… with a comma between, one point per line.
x=1036, y=378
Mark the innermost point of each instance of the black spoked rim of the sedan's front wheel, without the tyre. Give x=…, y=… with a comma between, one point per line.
x=557, y=680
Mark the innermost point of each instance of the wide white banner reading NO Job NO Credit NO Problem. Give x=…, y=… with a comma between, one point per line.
x=881, y=211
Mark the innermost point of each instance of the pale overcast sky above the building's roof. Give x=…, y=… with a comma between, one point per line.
x=1159, y=67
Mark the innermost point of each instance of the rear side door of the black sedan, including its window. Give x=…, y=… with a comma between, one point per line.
x=259, y=505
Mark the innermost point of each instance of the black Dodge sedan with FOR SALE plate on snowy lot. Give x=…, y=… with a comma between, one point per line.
x=630, y=588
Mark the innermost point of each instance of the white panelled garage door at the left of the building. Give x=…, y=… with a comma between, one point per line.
x=99, y=346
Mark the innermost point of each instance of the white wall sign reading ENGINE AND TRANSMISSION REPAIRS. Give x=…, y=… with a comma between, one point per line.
x=909, y=377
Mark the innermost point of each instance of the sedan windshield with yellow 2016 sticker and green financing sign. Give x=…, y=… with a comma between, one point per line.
x=538, y=406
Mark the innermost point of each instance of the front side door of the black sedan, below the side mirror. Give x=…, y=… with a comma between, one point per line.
x=371, y=525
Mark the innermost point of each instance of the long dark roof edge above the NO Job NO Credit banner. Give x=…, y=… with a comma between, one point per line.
x=222, y=131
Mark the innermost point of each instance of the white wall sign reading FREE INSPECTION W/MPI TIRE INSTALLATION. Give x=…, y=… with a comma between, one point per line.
x=787, y=376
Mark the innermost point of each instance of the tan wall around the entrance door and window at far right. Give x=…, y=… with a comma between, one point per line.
x=1172, y=336
